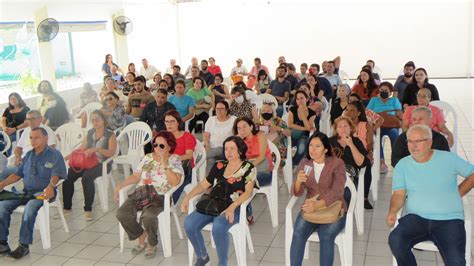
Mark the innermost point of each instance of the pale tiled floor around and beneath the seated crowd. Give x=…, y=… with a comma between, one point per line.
x=97, y=243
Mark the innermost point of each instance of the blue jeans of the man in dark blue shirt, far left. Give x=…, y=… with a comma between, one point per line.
x=27, y=221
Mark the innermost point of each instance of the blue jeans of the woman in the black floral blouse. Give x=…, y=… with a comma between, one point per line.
x=193, y=225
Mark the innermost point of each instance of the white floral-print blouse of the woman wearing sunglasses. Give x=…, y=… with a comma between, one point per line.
x=153, y=173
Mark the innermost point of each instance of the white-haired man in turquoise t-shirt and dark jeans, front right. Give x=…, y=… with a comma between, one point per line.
x=427, y=181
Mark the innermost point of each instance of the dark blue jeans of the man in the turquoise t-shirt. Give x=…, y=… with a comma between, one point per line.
x=448, y=235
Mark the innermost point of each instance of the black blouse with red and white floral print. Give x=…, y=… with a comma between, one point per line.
x=231, y=187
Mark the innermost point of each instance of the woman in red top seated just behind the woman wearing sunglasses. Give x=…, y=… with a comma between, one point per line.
x=184, y=148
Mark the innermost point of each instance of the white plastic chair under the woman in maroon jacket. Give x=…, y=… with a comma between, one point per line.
x=344, y=239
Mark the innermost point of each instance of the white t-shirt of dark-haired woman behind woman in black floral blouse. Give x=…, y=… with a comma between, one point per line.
x=219, y=131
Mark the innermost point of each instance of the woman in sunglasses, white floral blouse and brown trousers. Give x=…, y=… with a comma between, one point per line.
x=162, y=170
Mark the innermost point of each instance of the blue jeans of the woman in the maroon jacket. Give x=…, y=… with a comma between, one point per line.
x=302, y=230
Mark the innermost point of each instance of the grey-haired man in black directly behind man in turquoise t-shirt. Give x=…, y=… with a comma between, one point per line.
x=422, y=115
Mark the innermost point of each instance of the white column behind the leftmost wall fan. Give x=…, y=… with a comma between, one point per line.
x=45, y=51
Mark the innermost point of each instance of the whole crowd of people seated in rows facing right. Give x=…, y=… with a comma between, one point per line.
x=238, y=130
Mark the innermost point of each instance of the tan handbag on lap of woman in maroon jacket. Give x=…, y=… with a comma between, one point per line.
x=325, y=214
